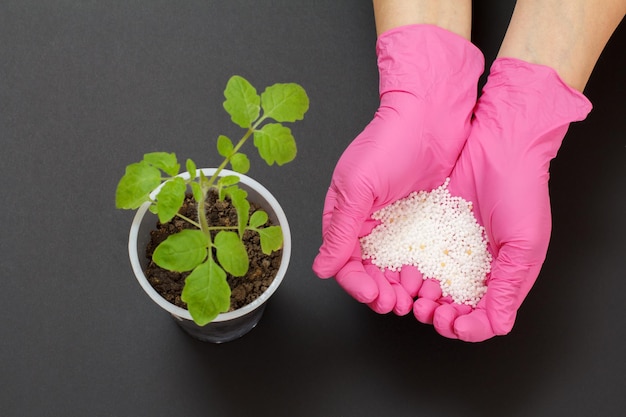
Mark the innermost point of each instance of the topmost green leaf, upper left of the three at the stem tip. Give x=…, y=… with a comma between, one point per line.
x=242, y=101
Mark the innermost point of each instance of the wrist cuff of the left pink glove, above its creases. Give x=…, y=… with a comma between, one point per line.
x=416, y=58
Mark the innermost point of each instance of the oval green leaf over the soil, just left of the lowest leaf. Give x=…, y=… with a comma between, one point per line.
x=182, y=252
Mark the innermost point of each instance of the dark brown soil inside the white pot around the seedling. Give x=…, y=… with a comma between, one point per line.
x=244, y=290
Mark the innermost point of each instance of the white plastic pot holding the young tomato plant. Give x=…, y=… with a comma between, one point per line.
x=226, y=326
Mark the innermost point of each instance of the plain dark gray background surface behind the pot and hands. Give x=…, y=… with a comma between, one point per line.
x=87, y=87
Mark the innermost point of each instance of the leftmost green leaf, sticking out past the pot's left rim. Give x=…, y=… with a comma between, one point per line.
x=136, y=185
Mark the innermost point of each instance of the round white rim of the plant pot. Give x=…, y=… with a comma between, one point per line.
x=182, y=313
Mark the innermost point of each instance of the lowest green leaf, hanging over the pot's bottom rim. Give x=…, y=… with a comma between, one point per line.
x=206, y=292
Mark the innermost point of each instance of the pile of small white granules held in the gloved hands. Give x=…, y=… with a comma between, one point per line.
x=438, y=234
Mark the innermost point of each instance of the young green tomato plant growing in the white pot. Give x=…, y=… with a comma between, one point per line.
x=206, y=290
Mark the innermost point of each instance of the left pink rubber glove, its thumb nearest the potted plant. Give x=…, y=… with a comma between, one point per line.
x=428, y=87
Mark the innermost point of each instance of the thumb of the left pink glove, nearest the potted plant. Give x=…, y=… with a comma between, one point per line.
x=340, y=233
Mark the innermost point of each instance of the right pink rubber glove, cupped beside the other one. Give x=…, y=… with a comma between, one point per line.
x=519, y=124
